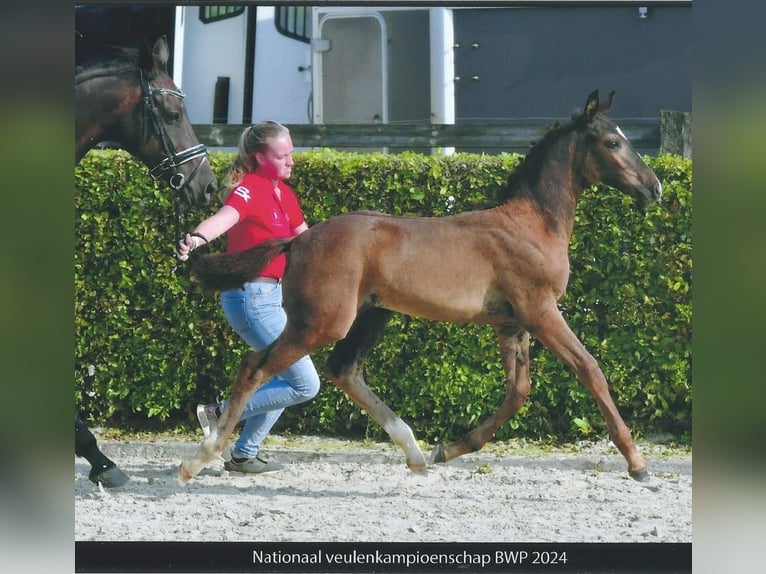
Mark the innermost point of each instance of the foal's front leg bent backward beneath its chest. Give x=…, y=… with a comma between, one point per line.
x=514, y=352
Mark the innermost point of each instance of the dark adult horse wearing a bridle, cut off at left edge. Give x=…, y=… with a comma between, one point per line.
x=125, y=96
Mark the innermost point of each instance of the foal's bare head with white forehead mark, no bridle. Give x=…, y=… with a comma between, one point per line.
x=609, y=158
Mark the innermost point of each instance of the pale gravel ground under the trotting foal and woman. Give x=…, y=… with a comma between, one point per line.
x=336, y=491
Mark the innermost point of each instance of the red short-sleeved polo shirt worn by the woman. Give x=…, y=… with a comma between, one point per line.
x=262, y=216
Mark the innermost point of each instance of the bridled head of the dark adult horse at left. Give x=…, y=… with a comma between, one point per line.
x=167, y=143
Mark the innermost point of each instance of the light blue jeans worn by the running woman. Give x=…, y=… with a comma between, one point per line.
x=255, y=312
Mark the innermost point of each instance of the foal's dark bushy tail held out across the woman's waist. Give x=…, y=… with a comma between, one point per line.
x=225, y=271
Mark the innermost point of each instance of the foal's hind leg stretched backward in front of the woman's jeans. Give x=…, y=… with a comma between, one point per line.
x=256, y=368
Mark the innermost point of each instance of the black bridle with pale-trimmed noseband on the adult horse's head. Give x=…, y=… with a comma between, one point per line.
x=172, y=159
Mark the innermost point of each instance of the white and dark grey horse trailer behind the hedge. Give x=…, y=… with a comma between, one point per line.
x=328, y=64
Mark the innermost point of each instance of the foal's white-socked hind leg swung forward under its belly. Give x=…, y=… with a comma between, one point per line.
x=345, y=369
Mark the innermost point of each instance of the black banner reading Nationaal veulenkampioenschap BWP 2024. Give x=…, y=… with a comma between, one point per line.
x=299, y=557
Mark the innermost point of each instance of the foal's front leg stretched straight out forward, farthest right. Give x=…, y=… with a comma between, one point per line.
x=552, y=331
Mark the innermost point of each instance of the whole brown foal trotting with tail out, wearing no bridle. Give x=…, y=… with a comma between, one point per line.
x=506, y=266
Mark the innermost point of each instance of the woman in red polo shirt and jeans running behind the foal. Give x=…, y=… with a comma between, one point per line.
x=258, y=205
